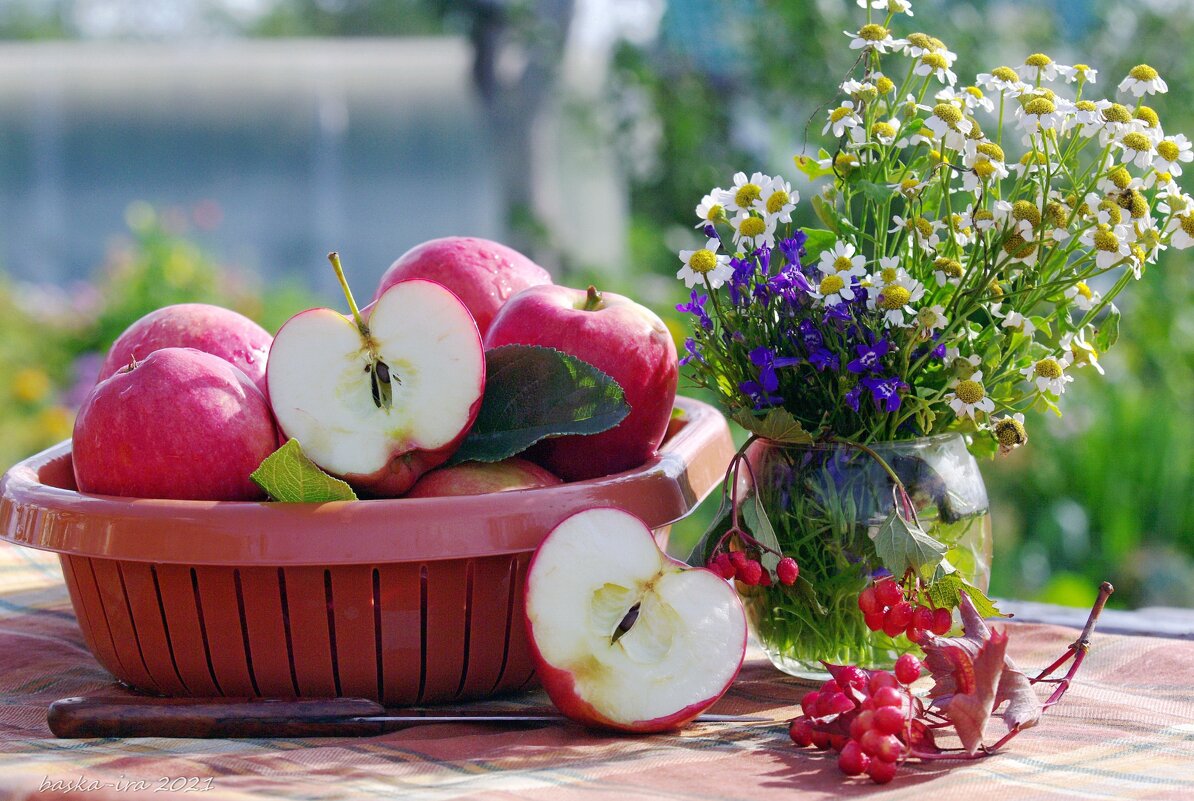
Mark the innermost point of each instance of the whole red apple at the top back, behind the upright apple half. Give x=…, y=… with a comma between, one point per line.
x=483, y=274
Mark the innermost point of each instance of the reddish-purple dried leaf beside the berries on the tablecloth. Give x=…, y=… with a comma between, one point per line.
x=952, y=662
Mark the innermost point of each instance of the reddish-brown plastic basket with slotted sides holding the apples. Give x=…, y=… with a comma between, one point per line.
x=407, y=601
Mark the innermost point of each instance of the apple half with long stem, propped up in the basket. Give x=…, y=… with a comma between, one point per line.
x=384, y=396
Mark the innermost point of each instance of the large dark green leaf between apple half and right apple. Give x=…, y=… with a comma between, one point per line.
x=533, y=393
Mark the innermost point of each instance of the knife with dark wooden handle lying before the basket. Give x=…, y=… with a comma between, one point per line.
x=124, y=717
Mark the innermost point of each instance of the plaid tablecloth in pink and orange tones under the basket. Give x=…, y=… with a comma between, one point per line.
x=1125, y=731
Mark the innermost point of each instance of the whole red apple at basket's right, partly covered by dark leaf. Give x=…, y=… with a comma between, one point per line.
x=618, y=336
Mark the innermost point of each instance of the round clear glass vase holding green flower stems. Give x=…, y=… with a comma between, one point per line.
x=827, y=504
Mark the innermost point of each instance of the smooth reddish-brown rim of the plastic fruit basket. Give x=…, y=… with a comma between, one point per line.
x=39, y=515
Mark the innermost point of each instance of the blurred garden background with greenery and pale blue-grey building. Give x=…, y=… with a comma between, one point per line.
x=583, y=132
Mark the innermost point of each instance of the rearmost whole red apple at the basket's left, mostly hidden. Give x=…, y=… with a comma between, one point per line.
x=210, y=329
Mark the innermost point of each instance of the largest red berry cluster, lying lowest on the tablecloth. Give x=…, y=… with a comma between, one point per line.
x=879, y=719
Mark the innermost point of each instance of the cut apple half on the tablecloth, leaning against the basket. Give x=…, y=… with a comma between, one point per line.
x=624, y=637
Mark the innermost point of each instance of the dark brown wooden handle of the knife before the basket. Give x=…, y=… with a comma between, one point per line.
x=212, y=718
